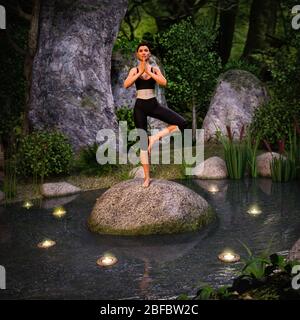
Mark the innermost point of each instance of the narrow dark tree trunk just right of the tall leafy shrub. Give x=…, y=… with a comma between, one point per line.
x=228, y=12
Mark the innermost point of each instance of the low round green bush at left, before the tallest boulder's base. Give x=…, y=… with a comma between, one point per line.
x=44, y=153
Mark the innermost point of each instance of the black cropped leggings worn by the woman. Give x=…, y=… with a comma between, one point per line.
x=152, y=108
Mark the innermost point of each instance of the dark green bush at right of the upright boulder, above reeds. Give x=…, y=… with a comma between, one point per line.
x=273, y=121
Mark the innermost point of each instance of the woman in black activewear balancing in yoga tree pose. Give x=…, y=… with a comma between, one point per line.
x=145, y=77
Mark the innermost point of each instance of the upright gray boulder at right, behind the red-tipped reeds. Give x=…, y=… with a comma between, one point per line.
x=237, y=95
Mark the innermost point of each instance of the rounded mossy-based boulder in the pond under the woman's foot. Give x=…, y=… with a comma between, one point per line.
x=164, y=207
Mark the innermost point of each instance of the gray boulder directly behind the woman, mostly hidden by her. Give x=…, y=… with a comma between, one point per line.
x=121, y=64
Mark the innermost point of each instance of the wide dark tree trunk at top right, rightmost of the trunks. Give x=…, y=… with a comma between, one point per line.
x=262, y=21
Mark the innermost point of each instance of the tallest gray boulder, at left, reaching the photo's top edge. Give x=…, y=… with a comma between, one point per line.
x=71, y=86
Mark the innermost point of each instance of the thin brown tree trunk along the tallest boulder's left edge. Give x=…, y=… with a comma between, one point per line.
x=31, y=50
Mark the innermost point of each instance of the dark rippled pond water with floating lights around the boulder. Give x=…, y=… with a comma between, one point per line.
x=148, y=267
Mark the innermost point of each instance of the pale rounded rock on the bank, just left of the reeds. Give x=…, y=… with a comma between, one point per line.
x=212, y=168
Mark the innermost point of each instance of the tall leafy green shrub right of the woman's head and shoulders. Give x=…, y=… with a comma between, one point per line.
x=190, y=63
